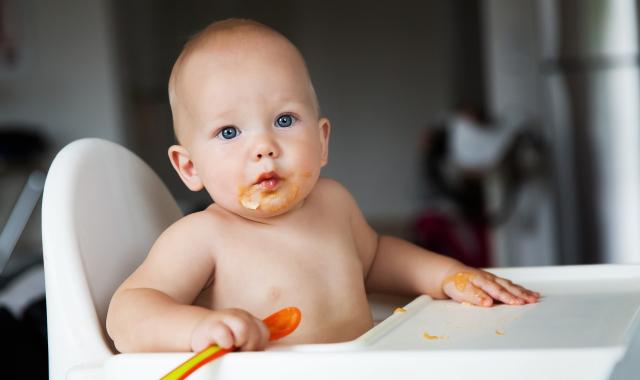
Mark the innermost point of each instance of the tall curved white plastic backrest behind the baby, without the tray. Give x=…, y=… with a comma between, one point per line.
x=102, y=210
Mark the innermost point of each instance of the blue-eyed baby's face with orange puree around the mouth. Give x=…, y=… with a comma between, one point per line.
x=252, y=128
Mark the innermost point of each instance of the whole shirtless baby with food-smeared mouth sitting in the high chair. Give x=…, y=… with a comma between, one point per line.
x=247, y=120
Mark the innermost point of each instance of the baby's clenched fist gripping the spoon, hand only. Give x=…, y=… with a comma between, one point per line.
x=230, y=328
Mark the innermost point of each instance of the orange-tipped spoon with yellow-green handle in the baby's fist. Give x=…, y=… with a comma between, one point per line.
x=280, y=324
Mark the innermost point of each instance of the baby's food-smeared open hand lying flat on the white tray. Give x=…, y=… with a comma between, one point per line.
x=481, y=288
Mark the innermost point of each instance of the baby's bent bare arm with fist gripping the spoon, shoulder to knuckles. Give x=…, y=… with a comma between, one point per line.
x=152, y=311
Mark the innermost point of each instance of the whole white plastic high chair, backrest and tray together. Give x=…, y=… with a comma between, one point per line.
x=103, y=208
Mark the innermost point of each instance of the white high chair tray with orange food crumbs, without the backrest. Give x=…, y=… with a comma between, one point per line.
x=582, y=326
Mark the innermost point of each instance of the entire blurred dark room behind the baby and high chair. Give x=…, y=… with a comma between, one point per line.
x=500, y=132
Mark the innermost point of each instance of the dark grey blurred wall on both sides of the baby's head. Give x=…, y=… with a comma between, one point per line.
x=383, y=71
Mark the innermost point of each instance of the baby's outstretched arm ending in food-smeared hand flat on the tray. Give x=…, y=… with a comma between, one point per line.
x=393, y=265
